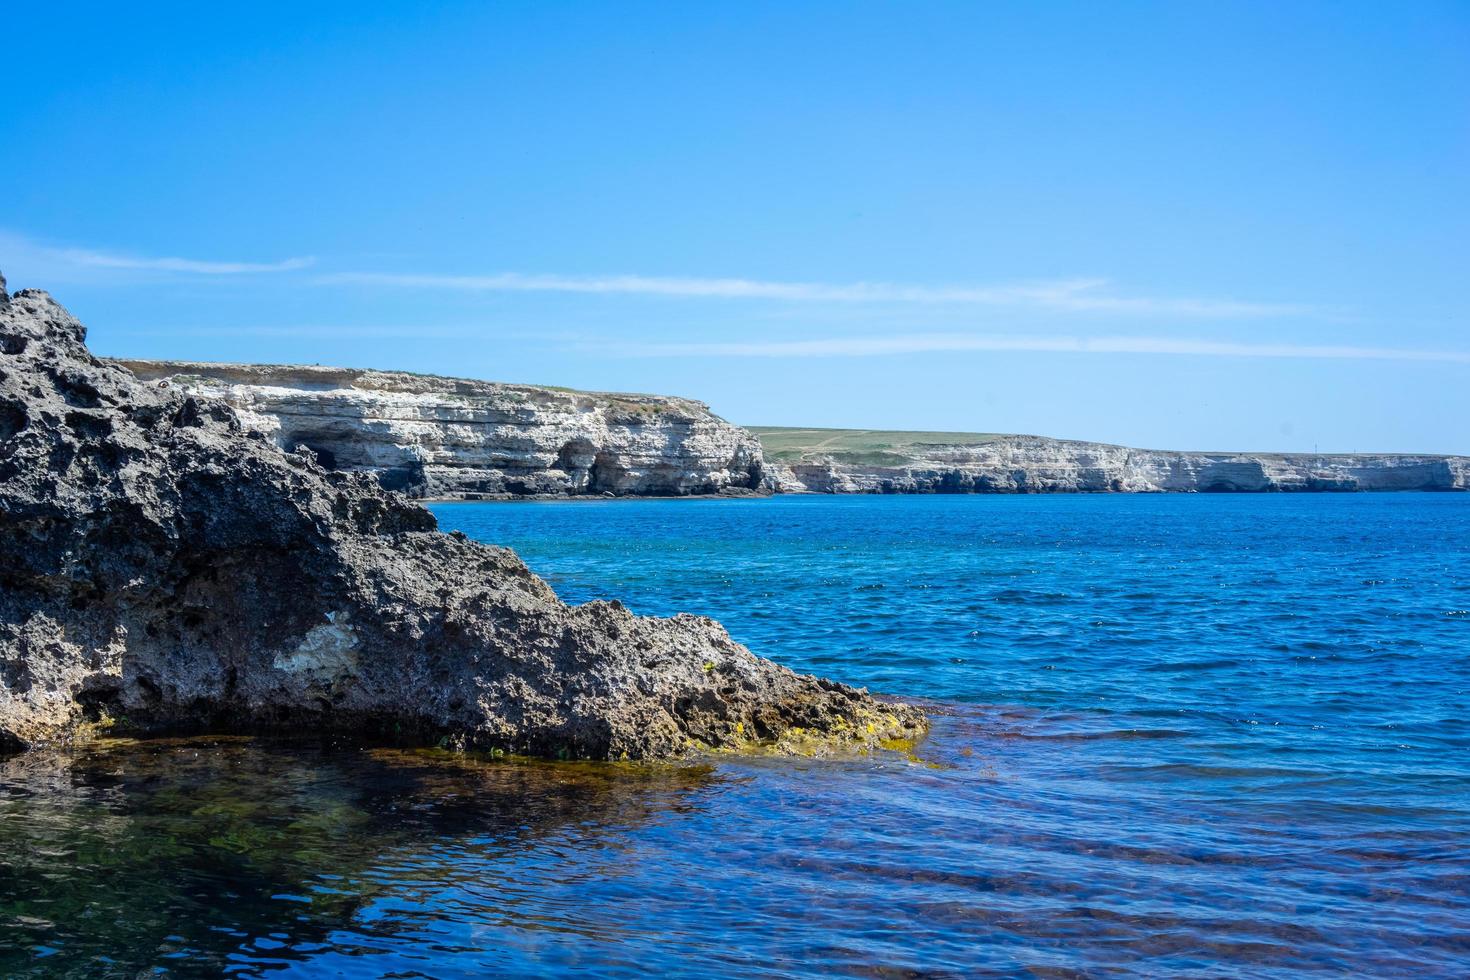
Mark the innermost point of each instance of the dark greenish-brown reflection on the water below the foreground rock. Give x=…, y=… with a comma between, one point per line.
x=232, y=853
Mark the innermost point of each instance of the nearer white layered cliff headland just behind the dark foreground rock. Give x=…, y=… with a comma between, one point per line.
x=456, y=439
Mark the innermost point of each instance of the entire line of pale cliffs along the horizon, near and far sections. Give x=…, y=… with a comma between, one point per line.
x=455, y=439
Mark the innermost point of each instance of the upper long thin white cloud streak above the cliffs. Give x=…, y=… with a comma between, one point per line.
x=1069, y=295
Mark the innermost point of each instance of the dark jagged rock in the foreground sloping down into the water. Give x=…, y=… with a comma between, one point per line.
x=164, y=568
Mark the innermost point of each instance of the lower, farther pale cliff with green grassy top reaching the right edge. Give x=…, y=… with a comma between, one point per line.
x=872, y=462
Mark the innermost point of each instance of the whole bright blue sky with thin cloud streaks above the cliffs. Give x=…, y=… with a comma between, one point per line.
x=1178, y=226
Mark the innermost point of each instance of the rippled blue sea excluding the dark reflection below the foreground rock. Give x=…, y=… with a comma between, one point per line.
x=1177, y=734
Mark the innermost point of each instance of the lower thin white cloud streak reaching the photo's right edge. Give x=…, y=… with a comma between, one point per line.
x=959, y=343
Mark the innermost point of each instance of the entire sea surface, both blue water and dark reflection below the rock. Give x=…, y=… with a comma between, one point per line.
x=1175, y=735
